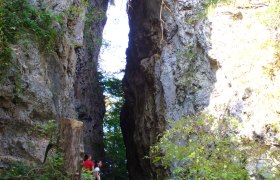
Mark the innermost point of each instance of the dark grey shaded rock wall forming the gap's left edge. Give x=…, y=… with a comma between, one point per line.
x=88, y=92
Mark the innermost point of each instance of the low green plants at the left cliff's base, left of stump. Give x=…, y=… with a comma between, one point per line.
x=52, y=169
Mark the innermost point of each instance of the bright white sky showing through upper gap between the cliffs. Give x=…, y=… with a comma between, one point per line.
x=113, y=58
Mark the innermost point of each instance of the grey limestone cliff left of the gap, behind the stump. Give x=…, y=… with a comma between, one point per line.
x=61, y=84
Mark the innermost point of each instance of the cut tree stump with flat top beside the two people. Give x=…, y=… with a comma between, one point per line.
x=72, y=135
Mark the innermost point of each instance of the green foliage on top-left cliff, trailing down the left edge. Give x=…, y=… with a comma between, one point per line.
x=19, y=19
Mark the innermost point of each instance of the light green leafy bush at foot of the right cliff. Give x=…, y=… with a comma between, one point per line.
x=201, y=147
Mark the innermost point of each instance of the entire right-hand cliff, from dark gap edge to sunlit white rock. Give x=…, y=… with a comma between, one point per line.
x=201, y=60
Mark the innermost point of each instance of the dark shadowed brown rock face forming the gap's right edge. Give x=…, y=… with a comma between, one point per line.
x=142, y=116
